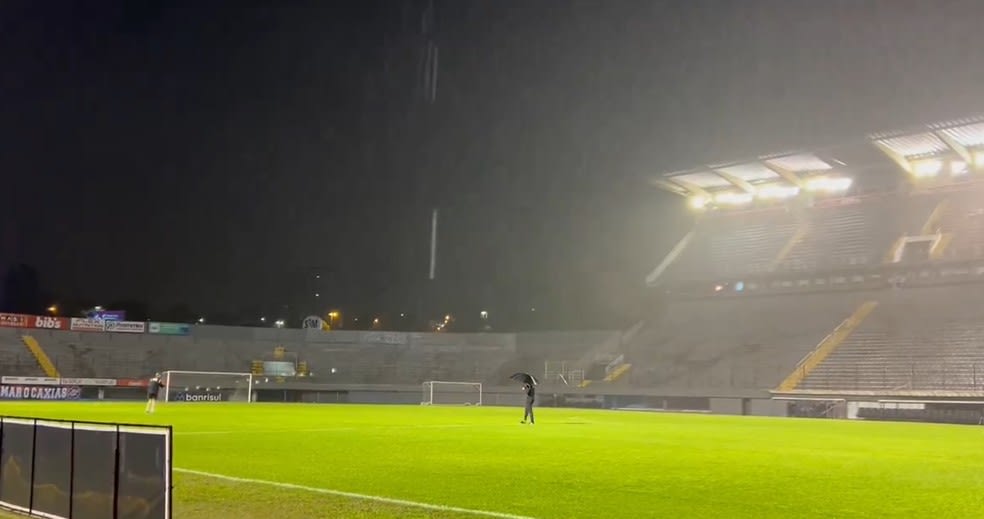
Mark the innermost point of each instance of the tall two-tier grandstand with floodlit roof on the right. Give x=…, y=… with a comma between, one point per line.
x=840, y=242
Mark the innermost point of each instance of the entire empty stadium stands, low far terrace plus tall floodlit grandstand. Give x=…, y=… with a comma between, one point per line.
x=796, y=279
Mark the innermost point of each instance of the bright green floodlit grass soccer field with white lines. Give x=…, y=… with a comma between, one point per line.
x=409, y=461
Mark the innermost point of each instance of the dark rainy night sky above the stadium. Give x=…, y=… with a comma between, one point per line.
x=207, y=153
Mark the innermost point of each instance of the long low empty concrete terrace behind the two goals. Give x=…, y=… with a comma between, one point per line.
x=333, y=357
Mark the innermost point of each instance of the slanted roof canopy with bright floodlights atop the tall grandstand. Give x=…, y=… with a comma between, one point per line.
x=944, y=149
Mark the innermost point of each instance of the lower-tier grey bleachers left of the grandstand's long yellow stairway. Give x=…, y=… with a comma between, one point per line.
x=734, y=343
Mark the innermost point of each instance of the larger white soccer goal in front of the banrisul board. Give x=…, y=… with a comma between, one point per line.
x=207, y=386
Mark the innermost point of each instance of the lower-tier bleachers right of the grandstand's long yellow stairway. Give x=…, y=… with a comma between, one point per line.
x=918, y=339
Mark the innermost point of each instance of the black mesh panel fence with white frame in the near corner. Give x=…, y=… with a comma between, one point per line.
x=82, y=470
